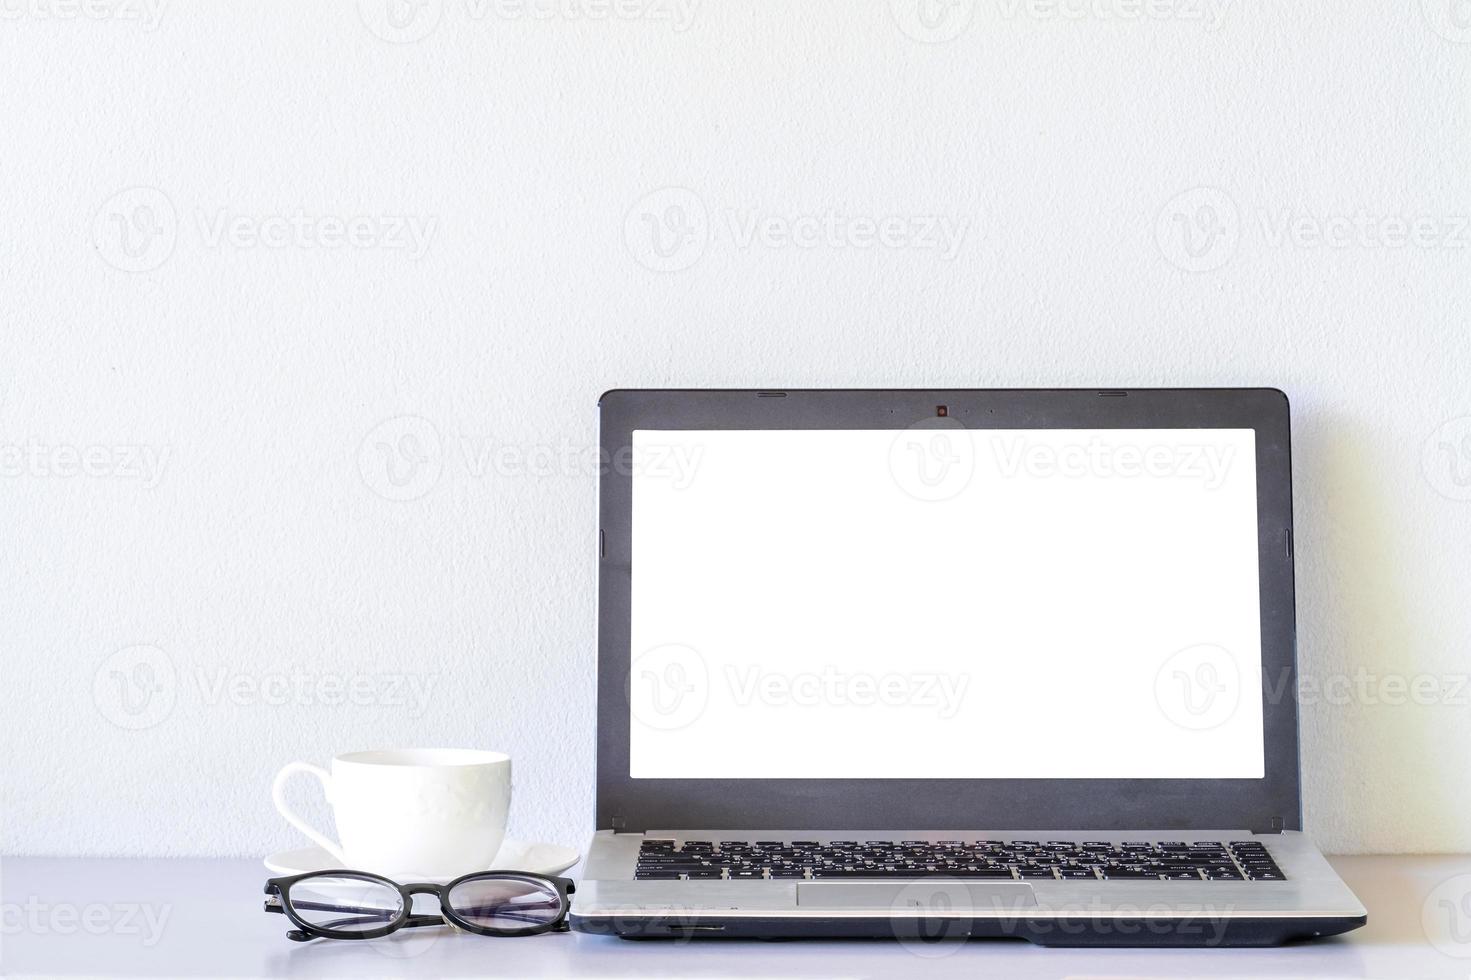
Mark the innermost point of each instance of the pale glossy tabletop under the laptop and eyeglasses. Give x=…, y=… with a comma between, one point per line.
x=195, y=917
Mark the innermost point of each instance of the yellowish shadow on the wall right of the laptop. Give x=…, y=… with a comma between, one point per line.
x=1376, y=735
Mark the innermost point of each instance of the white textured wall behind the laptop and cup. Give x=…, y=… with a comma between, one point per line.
x=329, y=230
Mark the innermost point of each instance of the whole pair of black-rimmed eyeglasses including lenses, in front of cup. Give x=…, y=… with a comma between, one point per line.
x=363, y=906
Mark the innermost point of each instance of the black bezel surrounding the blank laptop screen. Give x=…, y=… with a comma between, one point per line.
x=1270, y=804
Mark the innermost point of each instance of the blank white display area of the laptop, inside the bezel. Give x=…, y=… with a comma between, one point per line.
x=945, y=604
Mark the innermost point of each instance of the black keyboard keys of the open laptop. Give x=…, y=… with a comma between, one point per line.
x=995, y=860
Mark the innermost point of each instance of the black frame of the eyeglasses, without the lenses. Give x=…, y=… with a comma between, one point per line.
x=280, y=901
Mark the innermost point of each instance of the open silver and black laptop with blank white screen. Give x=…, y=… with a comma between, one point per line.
x=951, y=664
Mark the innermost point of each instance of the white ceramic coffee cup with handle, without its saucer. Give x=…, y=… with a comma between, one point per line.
x=411, y=813
